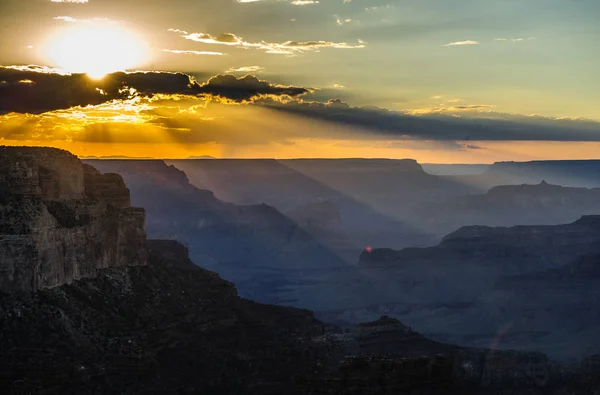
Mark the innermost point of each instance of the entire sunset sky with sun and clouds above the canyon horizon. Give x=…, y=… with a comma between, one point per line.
x=469, y=81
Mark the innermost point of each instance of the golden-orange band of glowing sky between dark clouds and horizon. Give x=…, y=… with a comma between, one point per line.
x=179, y=127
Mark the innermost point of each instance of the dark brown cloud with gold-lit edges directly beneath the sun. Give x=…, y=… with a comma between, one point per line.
x=33, y=89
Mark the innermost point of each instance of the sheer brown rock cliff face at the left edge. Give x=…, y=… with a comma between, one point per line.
x=61, y=220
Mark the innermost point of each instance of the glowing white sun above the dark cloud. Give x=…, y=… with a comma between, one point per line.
x=95, y=48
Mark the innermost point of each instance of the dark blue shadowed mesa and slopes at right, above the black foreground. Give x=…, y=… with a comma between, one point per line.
x=524, y=287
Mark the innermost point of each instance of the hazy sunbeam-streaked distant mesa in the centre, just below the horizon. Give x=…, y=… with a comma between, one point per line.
x=371, y=196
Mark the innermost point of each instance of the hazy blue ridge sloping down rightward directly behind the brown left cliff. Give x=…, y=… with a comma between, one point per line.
x=256, y=235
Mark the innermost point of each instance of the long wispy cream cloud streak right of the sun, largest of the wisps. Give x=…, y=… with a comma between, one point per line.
x=285, y=48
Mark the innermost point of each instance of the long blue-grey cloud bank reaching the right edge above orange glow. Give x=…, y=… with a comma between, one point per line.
x=446, y=126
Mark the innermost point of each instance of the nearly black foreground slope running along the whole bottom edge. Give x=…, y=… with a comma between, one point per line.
x=174, y=328
